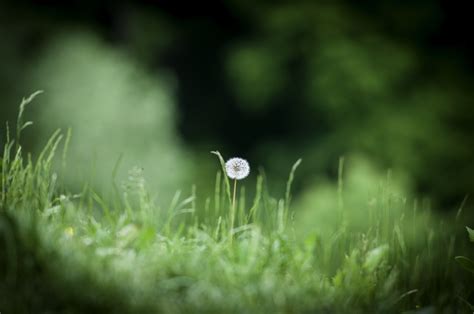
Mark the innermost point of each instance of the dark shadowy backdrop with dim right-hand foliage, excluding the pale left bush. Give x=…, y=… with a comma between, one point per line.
x=277, y=80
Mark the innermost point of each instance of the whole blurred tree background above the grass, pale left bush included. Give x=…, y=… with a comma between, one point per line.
x=387, y=84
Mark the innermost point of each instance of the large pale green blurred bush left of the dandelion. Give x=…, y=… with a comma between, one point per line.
x=119, y=115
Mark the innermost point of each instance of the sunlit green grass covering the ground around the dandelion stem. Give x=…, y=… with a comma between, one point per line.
x=66, y=253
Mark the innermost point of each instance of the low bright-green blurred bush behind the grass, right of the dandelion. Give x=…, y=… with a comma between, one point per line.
x=348, y=206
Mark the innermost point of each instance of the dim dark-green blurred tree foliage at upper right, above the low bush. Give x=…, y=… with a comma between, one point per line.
x=351, y=89
